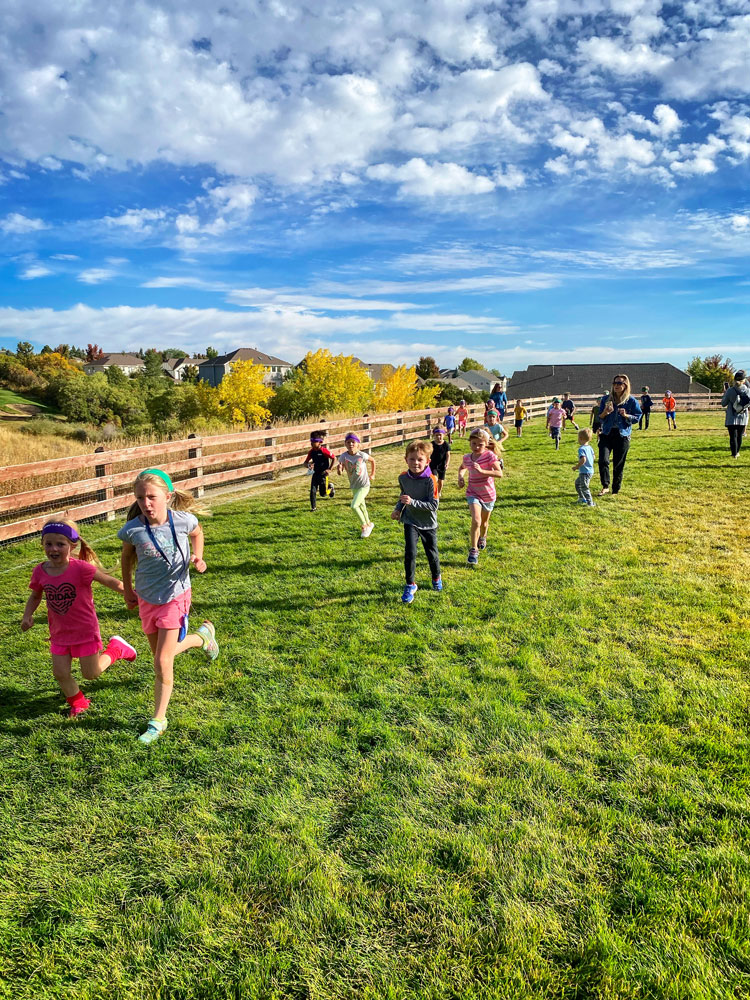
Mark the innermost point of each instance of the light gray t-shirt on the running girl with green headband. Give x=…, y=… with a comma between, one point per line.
x=159, y=580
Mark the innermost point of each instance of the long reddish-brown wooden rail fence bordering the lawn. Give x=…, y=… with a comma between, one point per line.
x=98, y=485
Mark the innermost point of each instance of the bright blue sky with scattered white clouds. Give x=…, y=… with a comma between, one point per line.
x=552, y=180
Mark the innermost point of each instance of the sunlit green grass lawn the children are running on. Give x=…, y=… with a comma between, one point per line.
x=533, y=785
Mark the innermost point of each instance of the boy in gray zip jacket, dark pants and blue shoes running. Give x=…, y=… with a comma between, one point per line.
x=417, y=508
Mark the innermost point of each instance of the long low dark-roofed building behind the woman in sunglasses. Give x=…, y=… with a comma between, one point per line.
x=587, y=380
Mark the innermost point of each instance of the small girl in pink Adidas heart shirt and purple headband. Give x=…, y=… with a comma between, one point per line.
x=65, y=583
